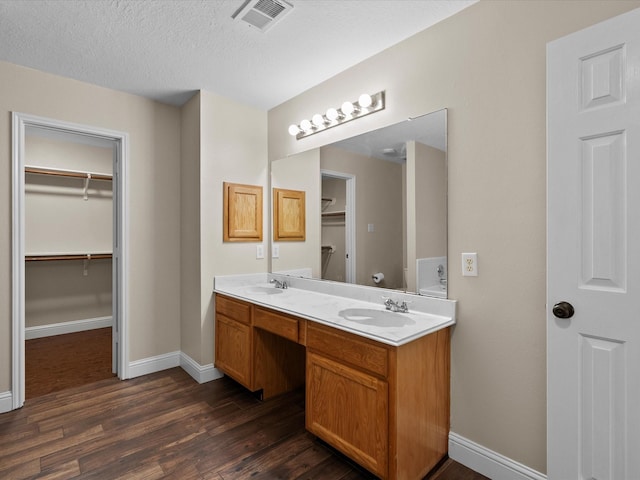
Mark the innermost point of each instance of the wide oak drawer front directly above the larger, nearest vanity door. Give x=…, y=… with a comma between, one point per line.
x=361, y=353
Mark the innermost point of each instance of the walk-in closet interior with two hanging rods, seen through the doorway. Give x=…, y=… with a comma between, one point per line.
x=68, y=243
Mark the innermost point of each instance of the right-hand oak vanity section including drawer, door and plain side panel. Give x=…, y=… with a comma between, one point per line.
x=385, y=407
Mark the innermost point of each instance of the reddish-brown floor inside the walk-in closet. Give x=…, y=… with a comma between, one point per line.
x=62, y=361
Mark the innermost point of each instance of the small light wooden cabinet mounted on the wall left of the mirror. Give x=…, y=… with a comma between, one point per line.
x=242, y=212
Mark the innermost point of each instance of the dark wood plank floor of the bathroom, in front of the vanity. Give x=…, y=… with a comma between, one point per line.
x=166, y=425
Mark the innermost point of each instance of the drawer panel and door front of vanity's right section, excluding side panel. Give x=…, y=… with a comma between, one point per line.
x=347, y=395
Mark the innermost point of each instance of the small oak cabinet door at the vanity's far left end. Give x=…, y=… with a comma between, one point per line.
x=233, y=349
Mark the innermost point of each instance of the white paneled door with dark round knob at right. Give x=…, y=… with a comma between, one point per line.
x=593, y=287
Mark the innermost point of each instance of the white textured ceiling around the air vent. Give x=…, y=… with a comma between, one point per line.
x=168, y=49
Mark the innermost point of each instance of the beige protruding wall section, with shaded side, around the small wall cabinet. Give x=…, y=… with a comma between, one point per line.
x=222, y=141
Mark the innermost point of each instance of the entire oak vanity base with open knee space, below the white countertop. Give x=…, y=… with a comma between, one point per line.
x=385, y=407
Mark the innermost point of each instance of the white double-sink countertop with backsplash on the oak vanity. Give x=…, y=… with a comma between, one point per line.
x=322, y=302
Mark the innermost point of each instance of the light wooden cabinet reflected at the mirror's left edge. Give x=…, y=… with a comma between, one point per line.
x=288, y=215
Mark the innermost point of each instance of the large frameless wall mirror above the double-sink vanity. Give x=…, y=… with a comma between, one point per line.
x=376, y=208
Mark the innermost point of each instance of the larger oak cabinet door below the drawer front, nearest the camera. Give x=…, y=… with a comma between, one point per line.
x=349, y=410
